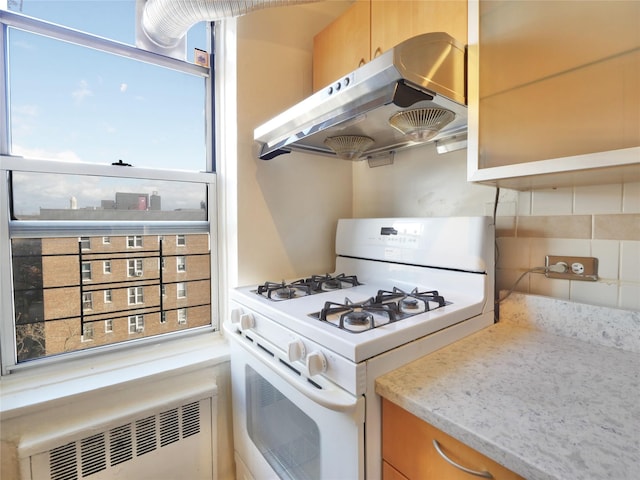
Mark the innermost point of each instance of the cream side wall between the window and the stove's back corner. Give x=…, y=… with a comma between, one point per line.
x=288, y=206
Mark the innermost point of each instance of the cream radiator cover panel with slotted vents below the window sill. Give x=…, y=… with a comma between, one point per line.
x=169, y=444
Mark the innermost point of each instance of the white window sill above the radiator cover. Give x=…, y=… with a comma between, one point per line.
x=43, y=388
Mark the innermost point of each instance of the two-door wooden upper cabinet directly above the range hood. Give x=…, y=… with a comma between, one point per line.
x=371, y=27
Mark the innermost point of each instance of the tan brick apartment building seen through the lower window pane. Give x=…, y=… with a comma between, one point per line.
x=75, y=293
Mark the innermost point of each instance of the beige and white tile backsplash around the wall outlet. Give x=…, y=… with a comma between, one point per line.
x=600, y=221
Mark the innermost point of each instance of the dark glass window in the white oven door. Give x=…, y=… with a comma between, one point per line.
x=285, y=436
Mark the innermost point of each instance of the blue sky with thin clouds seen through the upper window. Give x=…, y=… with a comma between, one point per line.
x=77, y=104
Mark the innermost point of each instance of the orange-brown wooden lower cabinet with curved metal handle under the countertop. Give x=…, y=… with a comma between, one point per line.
x=408, y=451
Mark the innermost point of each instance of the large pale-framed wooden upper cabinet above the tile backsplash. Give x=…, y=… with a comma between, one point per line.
x=554, y=83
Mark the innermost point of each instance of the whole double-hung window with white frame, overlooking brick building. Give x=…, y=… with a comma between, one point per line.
x=102, y=102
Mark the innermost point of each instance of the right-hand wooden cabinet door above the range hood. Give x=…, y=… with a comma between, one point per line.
x=393, y=21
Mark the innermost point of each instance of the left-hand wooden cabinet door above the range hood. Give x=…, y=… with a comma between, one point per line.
x=343, y=46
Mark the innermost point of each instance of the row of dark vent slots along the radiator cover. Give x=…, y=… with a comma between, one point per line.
x=116, y=446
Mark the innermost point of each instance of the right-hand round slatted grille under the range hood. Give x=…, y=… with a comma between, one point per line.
x=421, y=124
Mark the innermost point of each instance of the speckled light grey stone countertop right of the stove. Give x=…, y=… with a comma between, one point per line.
x=535, y=395
